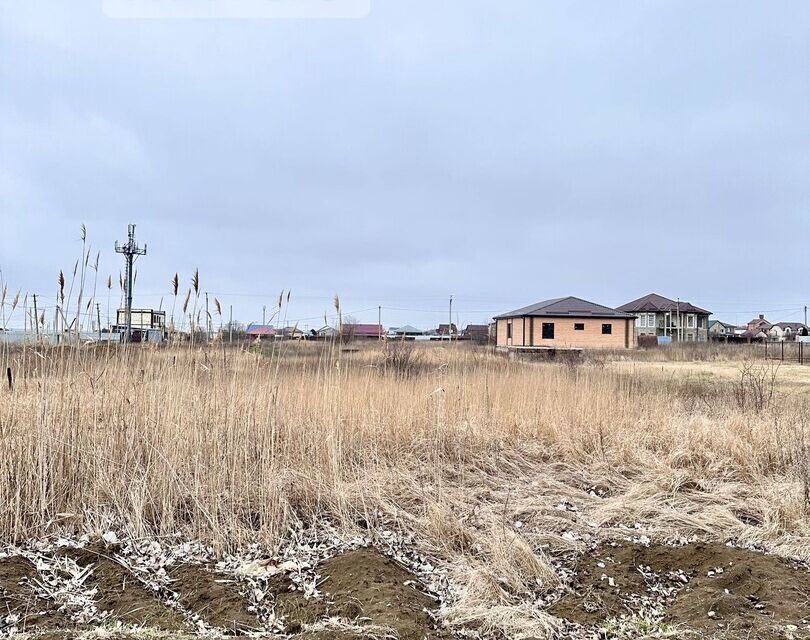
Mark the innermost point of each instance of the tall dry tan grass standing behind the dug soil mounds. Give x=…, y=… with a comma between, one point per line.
x=470, y=451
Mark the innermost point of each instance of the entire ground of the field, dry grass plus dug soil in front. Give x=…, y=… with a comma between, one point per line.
x=471, y=494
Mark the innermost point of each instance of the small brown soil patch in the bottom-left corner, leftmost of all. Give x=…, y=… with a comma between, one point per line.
x=20, y=608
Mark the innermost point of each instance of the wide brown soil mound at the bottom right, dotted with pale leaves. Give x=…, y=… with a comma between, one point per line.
x=712, y=589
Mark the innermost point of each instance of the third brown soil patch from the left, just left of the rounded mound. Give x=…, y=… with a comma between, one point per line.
x=214, y=597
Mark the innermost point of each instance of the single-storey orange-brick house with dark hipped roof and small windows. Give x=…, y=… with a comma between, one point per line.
x=568, y=322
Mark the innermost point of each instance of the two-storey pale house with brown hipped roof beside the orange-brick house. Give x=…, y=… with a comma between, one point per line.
x=660, y=316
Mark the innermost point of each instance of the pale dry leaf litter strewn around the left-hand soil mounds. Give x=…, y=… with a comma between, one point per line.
x=62, y=581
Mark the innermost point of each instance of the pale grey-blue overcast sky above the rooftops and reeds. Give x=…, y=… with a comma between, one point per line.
x=501, y=151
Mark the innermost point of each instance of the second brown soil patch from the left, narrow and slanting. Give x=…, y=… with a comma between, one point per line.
x=120, y=594
